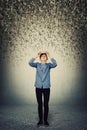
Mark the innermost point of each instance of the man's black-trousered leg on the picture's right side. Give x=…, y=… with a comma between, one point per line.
x=46, y=93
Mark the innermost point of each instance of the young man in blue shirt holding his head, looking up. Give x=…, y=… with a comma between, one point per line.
x=43, y=84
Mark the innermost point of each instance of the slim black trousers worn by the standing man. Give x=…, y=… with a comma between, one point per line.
x=46, y=95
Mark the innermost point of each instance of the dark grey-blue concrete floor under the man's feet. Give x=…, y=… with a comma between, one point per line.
x=60, y=118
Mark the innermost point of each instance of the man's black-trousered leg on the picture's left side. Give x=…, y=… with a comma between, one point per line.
x=39, y=101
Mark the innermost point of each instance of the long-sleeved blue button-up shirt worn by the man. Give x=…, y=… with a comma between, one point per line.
x=42, y=72
